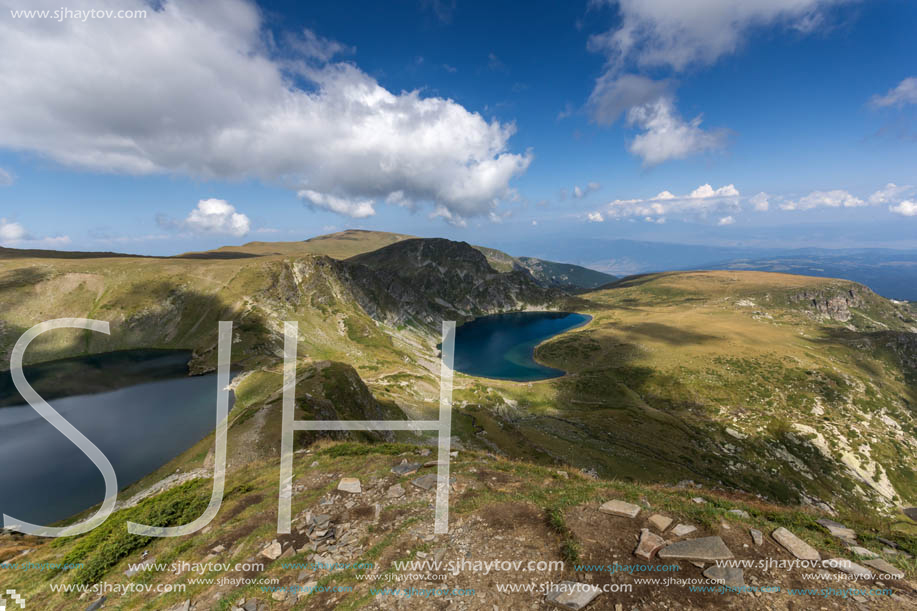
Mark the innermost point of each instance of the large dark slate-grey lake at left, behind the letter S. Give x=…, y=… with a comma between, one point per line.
x=45, y=478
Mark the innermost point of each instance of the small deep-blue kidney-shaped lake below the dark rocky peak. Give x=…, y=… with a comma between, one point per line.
x=502, y=346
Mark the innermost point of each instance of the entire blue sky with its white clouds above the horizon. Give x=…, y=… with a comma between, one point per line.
x=768, y=122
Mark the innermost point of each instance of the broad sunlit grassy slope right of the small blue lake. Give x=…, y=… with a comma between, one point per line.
x=796, y=388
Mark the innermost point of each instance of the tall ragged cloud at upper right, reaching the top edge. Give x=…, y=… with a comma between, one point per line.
x=660, y=36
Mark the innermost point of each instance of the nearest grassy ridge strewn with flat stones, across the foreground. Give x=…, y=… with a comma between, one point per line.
x=500, y=509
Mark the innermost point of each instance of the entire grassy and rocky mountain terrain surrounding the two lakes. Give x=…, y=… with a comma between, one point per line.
x=770, y=390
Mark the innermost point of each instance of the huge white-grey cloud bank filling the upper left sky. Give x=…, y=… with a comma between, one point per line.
x=199, y=89
